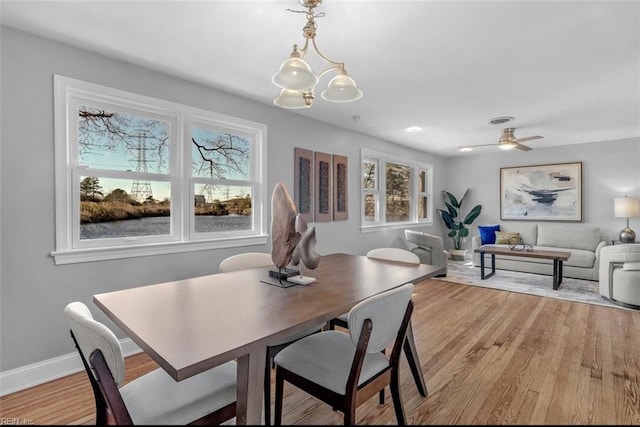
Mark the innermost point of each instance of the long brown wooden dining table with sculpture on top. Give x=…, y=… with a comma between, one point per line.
x=191, y=325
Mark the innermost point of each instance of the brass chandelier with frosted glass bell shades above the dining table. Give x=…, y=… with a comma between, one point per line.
x=298, y=81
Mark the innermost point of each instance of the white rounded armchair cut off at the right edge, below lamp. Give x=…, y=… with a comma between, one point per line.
x=620, y=274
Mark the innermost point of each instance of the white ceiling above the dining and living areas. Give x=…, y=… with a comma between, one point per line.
x=566, y=70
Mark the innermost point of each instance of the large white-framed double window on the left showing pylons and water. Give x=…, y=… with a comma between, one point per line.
x=140, y=176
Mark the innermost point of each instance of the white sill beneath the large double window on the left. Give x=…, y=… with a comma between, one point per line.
x=102, y=254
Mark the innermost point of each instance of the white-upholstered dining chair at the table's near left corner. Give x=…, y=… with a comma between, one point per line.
x=153, y=398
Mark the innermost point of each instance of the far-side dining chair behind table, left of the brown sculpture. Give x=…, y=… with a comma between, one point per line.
x=253, y=260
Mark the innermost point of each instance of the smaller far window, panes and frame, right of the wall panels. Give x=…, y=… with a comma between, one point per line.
x=395, y=192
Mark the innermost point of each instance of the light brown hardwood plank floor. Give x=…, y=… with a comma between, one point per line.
x=489, y=357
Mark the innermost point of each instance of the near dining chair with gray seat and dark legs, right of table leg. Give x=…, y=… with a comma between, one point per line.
x=346, y=369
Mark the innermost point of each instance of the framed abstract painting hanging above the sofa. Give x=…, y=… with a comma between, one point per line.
x=550, y=192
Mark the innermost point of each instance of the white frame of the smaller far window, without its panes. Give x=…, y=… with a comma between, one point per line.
x=380, y=191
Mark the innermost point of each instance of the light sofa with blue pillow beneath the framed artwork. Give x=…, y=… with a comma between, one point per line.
x=582, y=240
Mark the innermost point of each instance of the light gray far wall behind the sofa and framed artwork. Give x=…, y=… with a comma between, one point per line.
x=609, y=169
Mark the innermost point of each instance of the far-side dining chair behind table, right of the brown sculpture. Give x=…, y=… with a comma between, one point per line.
x=410, y=349
